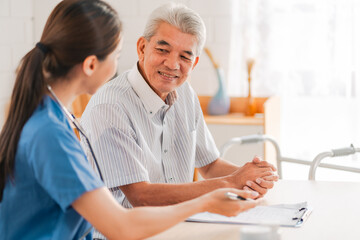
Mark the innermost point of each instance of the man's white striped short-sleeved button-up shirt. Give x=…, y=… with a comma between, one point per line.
x=137, y=137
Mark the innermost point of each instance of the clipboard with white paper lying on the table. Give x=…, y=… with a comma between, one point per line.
x=284, y=215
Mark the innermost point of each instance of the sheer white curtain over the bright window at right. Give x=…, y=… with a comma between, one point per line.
x=307, y=52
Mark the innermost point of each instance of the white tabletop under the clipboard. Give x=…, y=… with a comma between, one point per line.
x=335, y=216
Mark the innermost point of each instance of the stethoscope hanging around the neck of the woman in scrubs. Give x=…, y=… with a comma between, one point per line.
x=77, y=125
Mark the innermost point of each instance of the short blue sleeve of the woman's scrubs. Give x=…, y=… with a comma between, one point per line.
x=60, y=165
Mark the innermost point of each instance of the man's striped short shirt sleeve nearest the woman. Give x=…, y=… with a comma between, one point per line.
x=115, y=145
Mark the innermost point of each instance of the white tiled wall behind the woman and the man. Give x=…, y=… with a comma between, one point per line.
x=22, y=21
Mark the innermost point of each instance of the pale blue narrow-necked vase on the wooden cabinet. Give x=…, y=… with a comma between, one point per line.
x=220, y=102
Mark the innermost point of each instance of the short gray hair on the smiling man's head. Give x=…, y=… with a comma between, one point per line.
x=180, y=16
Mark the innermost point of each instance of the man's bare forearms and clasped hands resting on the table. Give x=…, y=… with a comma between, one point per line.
x=158, y=194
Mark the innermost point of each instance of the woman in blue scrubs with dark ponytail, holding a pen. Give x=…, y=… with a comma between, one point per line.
x=48, y=190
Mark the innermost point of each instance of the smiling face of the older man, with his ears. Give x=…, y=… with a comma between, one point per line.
x=167, y=59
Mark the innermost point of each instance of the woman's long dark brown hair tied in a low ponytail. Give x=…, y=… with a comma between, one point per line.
x=74, y=30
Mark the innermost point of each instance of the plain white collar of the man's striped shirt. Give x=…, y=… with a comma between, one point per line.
x=151, y=101
